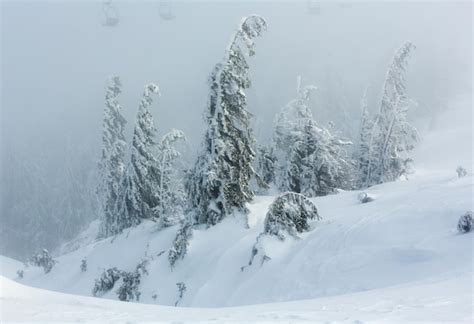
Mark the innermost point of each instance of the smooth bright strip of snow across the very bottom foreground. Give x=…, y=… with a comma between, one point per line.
x=445, y=300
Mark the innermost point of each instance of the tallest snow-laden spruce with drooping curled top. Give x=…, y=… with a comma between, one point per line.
x=219, y=182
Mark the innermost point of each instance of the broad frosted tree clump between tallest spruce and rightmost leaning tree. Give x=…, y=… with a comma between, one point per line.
x=311, y=159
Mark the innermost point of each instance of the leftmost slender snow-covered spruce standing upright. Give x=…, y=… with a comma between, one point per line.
x=111, y=166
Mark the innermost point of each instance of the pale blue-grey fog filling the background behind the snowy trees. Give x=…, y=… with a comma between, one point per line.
x=57, y=55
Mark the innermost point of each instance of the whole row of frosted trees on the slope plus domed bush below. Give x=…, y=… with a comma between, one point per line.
x=304, y=158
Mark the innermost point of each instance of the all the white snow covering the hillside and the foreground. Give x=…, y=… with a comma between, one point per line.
x=398, y=258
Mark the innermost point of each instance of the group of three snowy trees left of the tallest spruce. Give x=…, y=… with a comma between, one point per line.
x=148, y=186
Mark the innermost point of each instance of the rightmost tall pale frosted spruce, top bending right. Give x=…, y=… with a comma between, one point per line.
x=392, y=136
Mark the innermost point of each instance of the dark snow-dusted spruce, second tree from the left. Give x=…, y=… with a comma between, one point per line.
x=141, y=194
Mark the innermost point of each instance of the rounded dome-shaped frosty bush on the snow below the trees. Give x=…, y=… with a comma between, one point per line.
x=289, y=214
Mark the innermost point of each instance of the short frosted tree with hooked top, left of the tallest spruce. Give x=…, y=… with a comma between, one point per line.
x=170, y=187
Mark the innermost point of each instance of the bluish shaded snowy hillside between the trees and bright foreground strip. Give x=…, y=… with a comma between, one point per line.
x=407, y=234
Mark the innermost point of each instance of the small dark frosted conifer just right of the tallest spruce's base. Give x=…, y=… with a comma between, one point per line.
x=265, y=165
